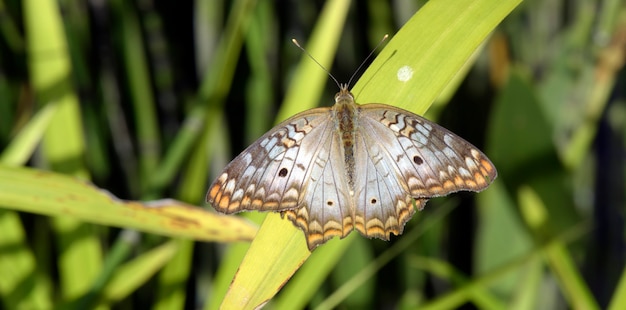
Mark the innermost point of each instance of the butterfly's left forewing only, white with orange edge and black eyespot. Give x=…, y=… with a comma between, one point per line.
x=270, y=174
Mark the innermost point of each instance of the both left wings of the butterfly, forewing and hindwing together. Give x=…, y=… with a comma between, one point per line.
x=296, y=168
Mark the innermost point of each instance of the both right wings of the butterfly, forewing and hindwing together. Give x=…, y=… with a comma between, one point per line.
x=401, y=159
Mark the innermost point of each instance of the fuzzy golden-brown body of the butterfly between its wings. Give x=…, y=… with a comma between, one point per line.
x=346, y=116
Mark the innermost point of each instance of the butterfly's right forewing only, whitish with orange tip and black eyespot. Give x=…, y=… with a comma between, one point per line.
x=430, y=159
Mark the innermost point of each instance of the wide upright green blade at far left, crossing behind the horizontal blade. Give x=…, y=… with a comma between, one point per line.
x=63, y=144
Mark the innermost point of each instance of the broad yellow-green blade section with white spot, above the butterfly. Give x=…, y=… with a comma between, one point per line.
x=432, y=46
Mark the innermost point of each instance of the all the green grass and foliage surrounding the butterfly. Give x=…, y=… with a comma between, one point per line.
x=150, y=100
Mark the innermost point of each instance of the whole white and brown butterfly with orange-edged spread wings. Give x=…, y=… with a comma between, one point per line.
x=336, y=169
